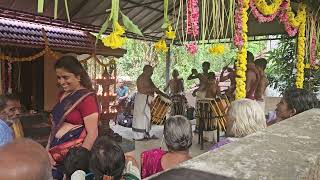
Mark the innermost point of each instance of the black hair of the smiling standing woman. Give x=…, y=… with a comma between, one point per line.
x=72, y=65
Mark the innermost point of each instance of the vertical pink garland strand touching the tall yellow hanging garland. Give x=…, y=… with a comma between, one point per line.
x=238, y=40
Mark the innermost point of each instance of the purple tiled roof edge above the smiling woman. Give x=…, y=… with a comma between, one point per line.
x=27, y=34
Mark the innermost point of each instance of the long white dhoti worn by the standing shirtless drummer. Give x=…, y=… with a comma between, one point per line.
x=141, y=123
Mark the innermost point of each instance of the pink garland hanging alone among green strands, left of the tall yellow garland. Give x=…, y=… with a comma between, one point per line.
x=192, y=17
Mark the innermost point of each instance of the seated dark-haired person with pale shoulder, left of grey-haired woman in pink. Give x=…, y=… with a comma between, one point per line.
x=108, y=162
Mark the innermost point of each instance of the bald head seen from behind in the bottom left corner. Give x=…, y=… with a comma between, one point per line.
x=24, y=159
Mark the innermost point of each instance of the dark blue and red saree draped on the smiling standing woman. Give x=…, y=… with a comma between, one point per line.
x=59, y=147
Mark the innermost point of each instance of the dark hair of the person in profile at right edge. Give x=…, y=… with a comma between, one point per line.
x=300, y=99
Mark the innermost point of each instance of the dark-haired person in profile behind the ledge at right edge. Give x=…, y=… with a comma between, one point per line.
x=294, y=101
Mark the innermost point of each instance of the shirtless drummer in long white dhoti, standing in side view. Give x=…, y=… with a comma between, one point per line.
x=141, y=124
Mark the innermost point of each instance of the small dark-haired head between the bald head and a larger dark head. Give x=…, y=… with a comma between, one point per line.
x=76, y=159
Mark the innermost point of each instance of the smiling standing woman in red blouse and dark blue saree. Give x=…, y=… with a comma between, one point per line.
x=75, y=116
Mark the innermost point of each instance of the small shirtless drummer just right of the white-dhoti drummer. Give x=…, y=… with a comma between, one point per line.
x=175, y=84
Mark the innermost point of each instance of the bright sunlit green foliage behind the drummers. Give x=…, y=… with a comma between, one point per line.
x=140, y=53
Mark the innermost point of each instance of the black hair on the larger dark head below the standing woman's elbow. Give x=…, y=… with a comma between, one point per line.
x=107, y=158
